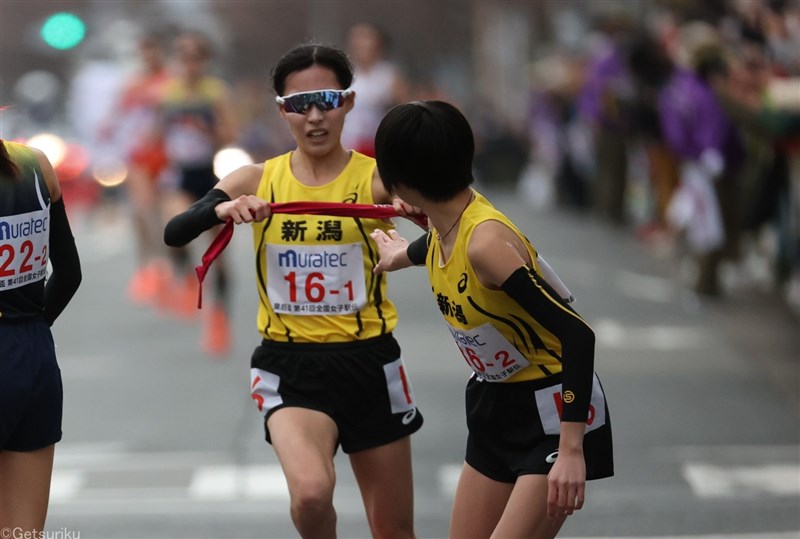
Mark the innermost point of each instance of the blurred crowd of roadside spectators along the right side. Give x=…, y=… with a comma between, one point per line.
x=685, y=130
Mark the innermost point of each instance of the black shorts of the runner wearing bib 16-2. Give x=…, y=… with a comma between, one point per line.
x=514, y=429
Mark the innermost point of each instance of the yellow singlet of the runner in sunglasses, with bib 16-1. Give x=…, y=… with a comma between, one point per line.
x=314, y=272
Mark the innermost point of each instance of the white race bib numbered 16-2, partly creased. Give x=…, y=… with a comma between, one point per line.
x=488, y=353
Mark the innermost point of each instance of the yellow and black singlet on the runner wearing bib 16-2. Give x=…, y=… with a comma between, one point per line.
x=500, y=341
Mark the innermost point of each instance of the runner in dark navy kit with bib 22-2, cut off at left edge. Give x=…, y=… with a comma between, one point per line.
x=33, y=229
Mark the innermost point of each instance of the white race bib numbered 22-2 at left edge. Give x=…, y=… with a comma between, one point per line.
x=24, y=243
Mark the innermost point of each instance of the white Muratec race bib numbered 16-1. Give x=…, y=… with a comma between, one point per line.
x=316, y=279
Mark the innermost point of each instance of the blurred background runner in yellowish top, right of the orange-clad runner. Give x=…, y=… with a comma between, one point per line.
x=197, y=121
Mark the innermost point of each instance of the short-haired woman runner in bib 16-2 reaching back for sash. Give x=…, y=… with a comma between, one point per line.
x=536, y=413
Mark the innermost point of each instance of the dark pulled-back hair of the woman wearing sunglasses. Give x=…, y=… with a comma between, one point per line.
x=304, y=56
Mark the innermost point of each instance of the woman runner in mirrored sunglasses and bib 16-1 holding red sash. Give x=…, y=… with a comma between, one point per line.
x=328, y=372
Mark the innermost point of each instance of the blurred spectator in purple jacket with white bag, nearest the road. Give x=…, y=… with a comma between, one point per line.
x=697, y=130
